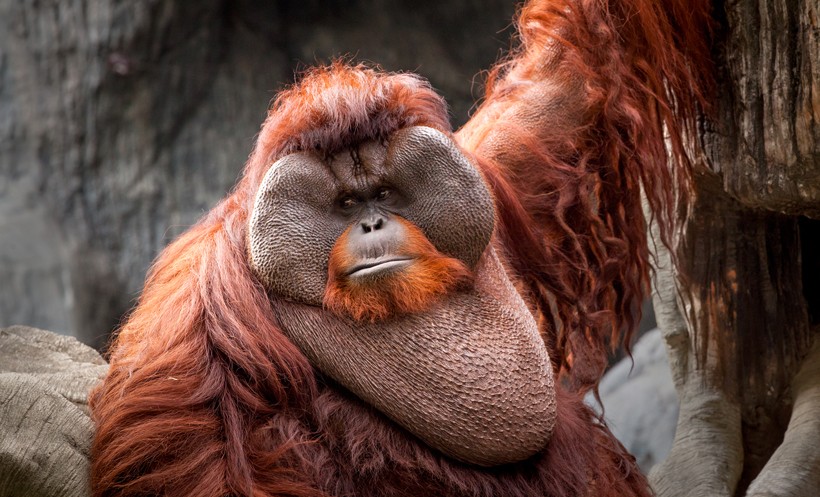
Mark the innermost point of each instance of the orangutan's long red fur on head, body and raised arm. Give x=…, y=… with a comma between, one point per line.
x=206, y=397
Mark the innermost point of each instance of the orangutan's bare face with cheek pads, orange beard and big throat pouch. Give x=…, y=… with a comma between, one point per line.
x=380, y=262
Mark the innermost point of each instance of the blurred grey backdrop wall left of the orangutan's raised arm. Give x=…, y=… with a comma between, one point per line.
x=122, y=122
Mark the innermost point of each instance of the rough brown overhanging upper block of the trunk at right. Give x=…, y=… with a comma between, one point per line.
x=766, y=145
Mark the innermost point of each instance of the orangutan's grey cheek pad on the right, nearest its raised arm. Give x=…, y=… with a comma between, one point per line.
x=449, y=200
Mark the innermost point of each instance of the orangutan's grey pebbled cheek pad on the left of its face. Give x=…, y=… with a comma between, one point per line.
x=291, y=230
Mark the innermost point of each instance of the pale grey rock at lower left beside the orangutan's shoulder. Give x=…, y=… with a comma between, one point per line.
x=45, y=429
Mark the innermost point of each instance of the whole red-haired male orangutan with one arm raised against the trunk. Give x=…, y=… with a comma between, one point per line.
x=383, y=307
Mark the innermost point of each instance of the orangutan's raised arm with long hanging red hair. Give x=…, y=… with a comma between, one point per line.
x=571, y=131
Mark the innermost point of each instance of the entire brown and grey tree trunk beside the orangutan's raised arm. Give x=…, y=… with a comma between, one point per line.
x=740, y=308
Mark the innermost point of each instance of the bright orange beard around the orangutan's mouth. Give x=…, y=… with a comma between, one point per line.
x=410, y=289
